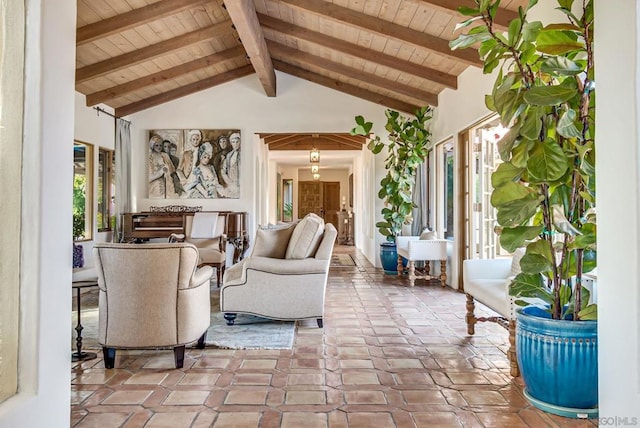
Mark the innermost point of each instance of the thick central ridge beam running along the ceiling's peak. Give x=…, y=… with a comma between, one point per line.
x=244, y=17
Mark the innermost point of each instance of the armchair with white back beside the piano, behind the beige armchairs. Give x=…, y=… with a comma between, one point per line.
x=205, y=230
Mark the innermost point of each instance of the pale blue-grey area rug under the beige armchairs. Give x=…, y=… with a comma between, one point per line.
x=248, y=332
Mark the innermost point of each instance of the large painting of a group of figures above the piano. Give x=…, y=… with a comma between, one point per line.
x=194, y=163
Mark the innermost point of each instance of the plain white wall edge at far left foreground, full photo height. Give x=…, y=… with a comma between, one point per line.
x=45, y=301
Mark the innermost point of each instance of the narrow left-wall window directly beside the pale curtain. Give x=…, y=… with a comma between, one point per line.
x=106, y=190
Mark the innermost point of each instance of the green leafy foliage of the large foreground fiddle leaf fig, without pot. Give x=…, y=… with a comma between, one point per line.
x=544, y=191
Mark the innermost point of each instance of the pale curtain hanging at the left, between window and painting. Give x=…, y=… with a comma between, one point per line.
x=123, y=174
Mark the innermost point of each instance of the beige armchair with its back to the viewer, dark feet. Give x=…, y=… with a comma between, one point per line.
x=151, y=296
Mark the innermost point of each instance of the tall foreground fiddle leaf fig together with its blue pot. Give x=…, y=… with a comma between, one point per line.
x=544, y=192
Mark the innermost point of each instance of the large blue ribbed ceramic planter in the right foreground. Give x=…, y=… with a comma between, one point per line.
x=559, y=363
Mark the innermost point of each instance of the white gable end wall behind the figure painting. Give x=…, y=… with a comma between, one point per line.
x=300, y=106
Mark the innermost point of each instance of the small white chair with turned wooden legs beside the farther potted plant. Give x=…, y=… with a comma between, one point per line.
x=415, y=249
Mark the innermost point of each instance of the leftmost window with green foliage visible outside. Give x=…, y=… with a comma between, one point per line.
x=82, y=191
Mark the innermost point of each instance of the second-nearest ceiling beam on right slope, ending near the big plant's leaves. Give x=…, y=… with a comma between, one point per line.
x=386, y=28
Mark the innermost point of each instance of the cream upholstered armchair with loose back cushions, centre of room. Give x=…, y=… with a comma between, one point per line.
x=285, y=276
